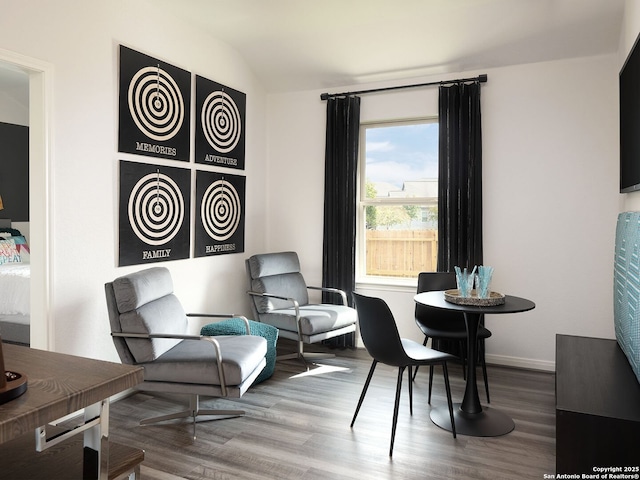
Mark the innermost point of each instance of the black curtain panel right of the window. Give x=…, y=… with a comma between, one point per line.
x=460, y=177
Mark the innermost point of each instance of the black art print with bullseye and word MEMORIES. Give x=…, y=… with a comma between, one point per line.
x=154, y=107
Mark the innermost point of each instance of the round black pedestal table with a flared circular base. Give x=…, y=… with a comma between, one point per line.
x=470, y=417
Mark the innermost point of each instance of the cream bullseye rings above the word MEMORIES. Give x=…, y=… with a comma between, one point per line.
x=155, y=103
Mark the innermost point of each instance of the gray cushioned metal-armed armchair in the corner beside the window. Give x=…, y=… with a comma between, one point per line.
x=280, y=297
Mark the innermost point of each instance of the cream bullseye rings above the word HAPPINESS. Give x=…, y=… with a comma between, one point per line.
x=221, y=210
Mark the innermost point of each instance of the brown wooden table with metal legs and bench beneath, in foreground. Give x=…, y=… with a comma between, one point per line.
x=59, y=385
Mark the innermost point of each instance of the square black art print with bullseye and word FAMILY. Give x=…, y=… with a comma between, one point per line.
x=154, y=223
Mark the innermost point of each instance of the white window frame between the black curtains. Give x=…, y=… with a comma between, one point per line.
x=362, y=279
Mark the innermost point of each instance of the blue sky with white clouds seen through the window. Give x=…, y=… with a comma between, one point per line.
x=402, y=152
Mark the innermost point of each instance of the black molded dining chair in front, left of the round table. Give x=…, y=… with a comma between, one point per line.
x=382, y=340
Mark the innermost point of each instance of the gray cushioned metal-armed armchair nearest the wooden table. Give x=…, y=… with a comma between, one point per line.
x=150, y=328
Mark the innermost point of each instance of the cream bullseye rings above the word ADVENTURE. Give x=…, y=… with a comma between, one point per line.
x=221, y=122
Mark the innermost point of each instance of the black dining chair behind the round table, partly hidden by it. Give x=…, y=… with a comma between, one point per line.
x=444, y=325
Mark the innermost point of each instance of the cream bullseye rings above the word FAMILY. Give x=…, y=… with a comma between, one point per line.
x=156, y=209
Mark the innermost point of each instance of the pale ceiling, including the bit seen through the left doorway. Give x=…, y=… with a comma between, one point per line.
x=294, y=45
